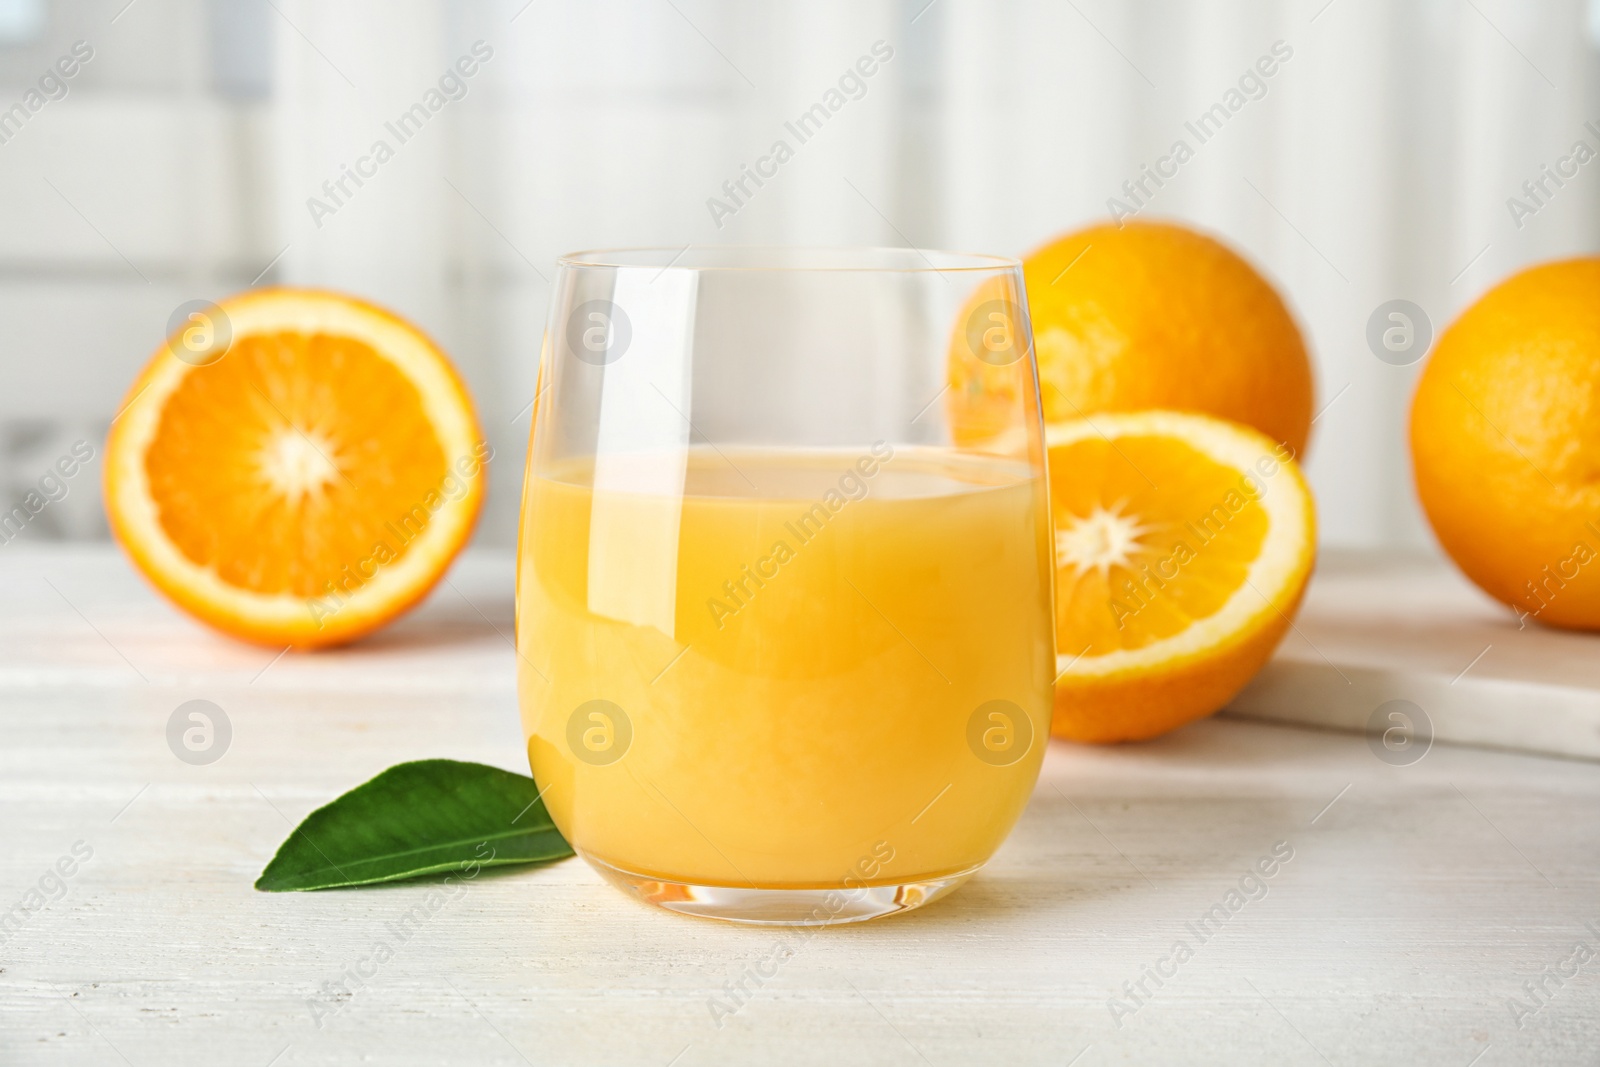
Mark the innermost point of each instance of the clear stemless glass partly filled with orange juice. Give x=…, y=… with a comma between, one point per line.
x=785, y=575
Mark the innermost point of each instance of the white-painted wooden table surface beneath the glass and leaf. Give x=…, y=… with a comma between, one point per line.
x=1420, y=900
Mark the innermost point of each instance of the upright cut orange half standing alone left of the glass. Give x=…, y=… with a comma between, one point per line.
x=295, y=468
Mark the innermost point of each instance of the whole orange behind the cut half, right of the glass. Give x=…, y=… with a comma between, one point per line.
x=1159, y=316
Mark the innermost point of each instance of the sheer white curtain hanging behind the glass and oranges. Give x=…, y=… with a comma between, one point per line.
x=1377, y=162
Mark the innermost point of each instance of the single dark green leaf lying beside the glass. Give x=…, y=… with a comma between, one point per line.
x=418, y=818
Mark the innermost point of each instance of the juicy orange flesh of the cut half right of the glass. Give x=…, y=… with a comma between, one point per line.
x=1151, y=535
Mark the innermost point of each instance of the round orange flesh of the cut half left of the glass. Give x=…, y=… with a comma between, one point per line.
x=290, y=460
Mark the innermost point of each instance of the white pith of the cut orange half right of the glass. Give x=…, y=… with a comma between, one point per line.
x=1274, y=577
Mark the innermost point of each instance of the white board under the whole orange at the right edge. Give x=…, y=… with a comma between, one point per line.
x=1380, y=628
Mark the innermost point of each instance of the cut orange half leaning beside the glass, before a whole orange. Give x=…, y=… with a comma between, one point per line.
x=1183, y=546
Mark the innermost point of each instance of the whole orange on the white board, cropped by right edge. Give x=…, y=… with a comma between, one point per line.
x=1506, y=442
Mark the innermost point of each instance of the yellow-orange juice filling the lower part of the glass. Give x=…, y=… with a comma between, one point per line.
x=796, y=669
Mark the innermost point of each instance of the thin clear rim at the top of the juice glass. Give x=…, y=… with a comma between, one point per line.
x=791, y=258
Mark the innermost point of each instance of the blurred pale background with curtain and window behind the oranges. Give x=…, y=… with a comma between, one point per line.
x=201, y=146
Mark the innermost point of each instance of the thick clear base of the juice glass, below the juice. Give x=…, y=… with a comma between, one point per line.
x=780, y=908
